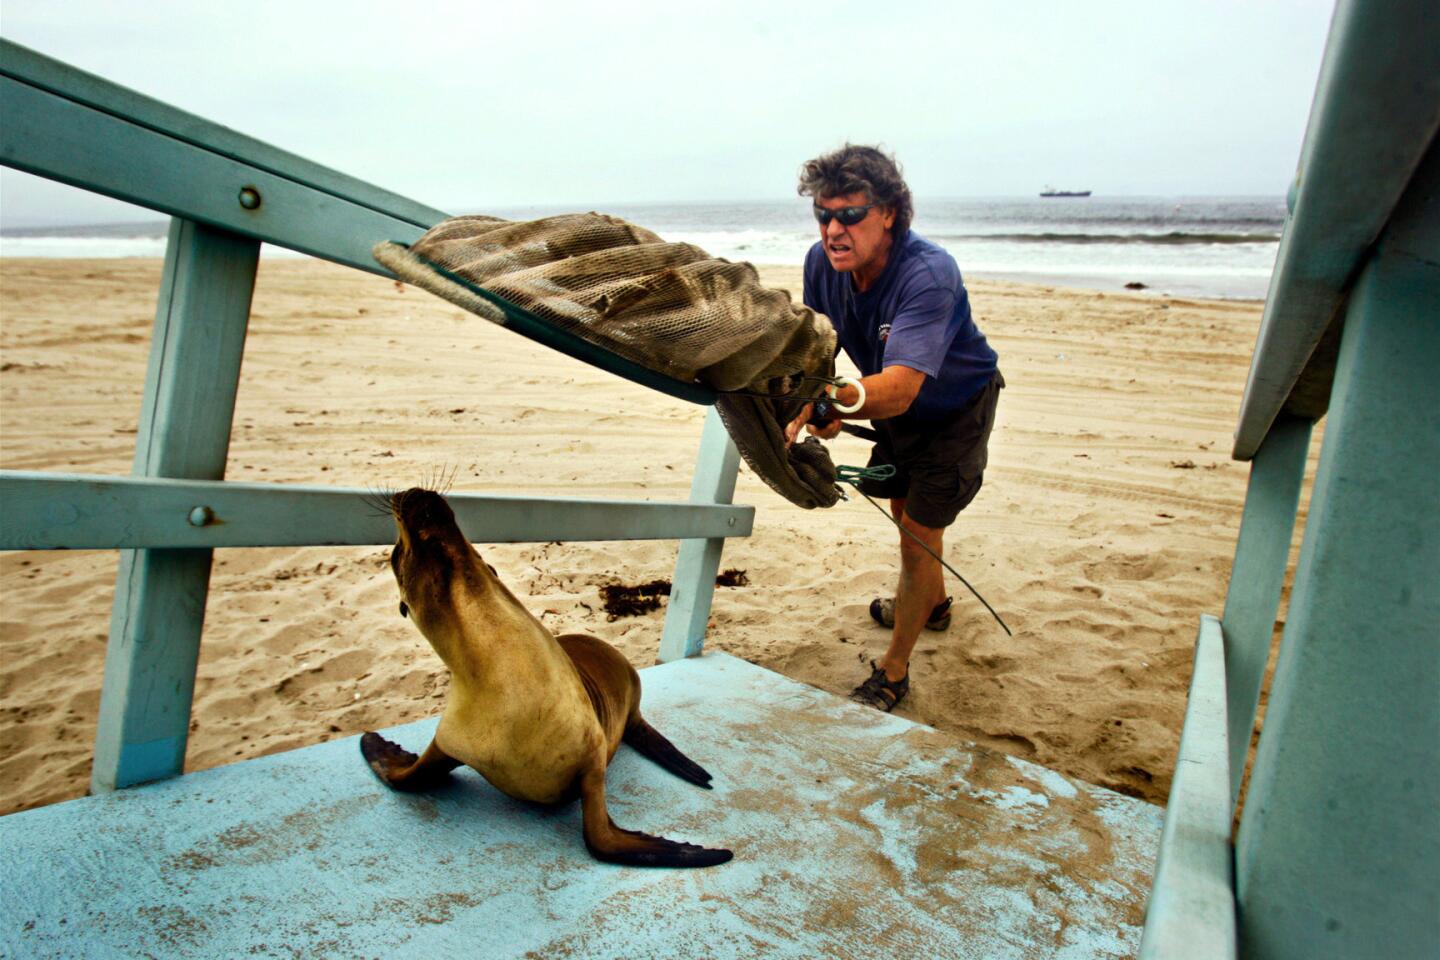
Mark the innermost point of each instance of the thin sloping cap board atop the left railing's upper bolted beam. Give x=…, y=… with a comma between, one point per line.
x=77, y=86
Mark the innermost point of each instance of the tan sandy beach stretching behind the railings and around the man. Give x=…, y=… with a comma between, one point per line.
x=1105, y=527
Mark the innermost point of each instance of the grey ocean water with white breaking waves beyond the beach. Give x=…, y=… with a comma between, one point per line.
x=1190, y=247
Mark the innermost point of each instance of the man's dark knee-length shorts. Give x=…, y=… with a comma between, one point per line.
x=940, y=467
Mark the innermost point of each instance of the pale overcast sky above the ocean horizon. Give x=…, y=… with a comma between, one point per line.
x=474, y=106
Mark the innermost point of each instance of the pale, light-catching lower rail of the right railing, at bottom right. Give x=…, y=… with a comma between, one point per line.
x=1192, y=913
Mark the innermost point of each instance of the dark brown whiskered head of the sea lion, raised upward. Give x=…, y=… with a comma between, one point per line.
x=438, y=571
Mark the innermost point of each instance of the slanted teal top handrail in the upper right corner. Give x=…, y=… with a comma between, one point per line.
x=1377, y=109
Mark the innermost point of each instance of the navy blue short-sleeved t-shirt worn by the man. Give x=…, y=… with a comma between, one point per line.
x=917, y=314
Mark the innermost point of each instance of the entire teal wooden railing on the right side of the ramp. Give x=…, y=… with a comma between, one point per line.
x=1338, y=847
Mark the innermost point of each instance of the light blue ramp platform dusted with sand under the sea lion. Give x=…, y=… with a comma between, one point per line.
x=855, y=836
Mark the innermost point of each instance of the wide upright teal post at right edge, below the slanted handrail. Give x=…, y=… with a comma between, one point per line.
x=1340, y=841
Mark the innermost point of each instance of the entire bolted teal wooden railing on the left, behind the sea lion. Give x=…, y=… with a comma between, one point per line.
x=227, y=195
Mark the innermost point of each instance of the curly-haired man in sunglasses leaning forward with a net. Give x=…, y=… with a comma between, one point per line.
x=931, y=379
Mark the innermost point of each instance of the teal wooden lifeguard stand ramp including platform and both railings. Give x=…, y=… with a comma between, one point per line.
x=855, y=833
